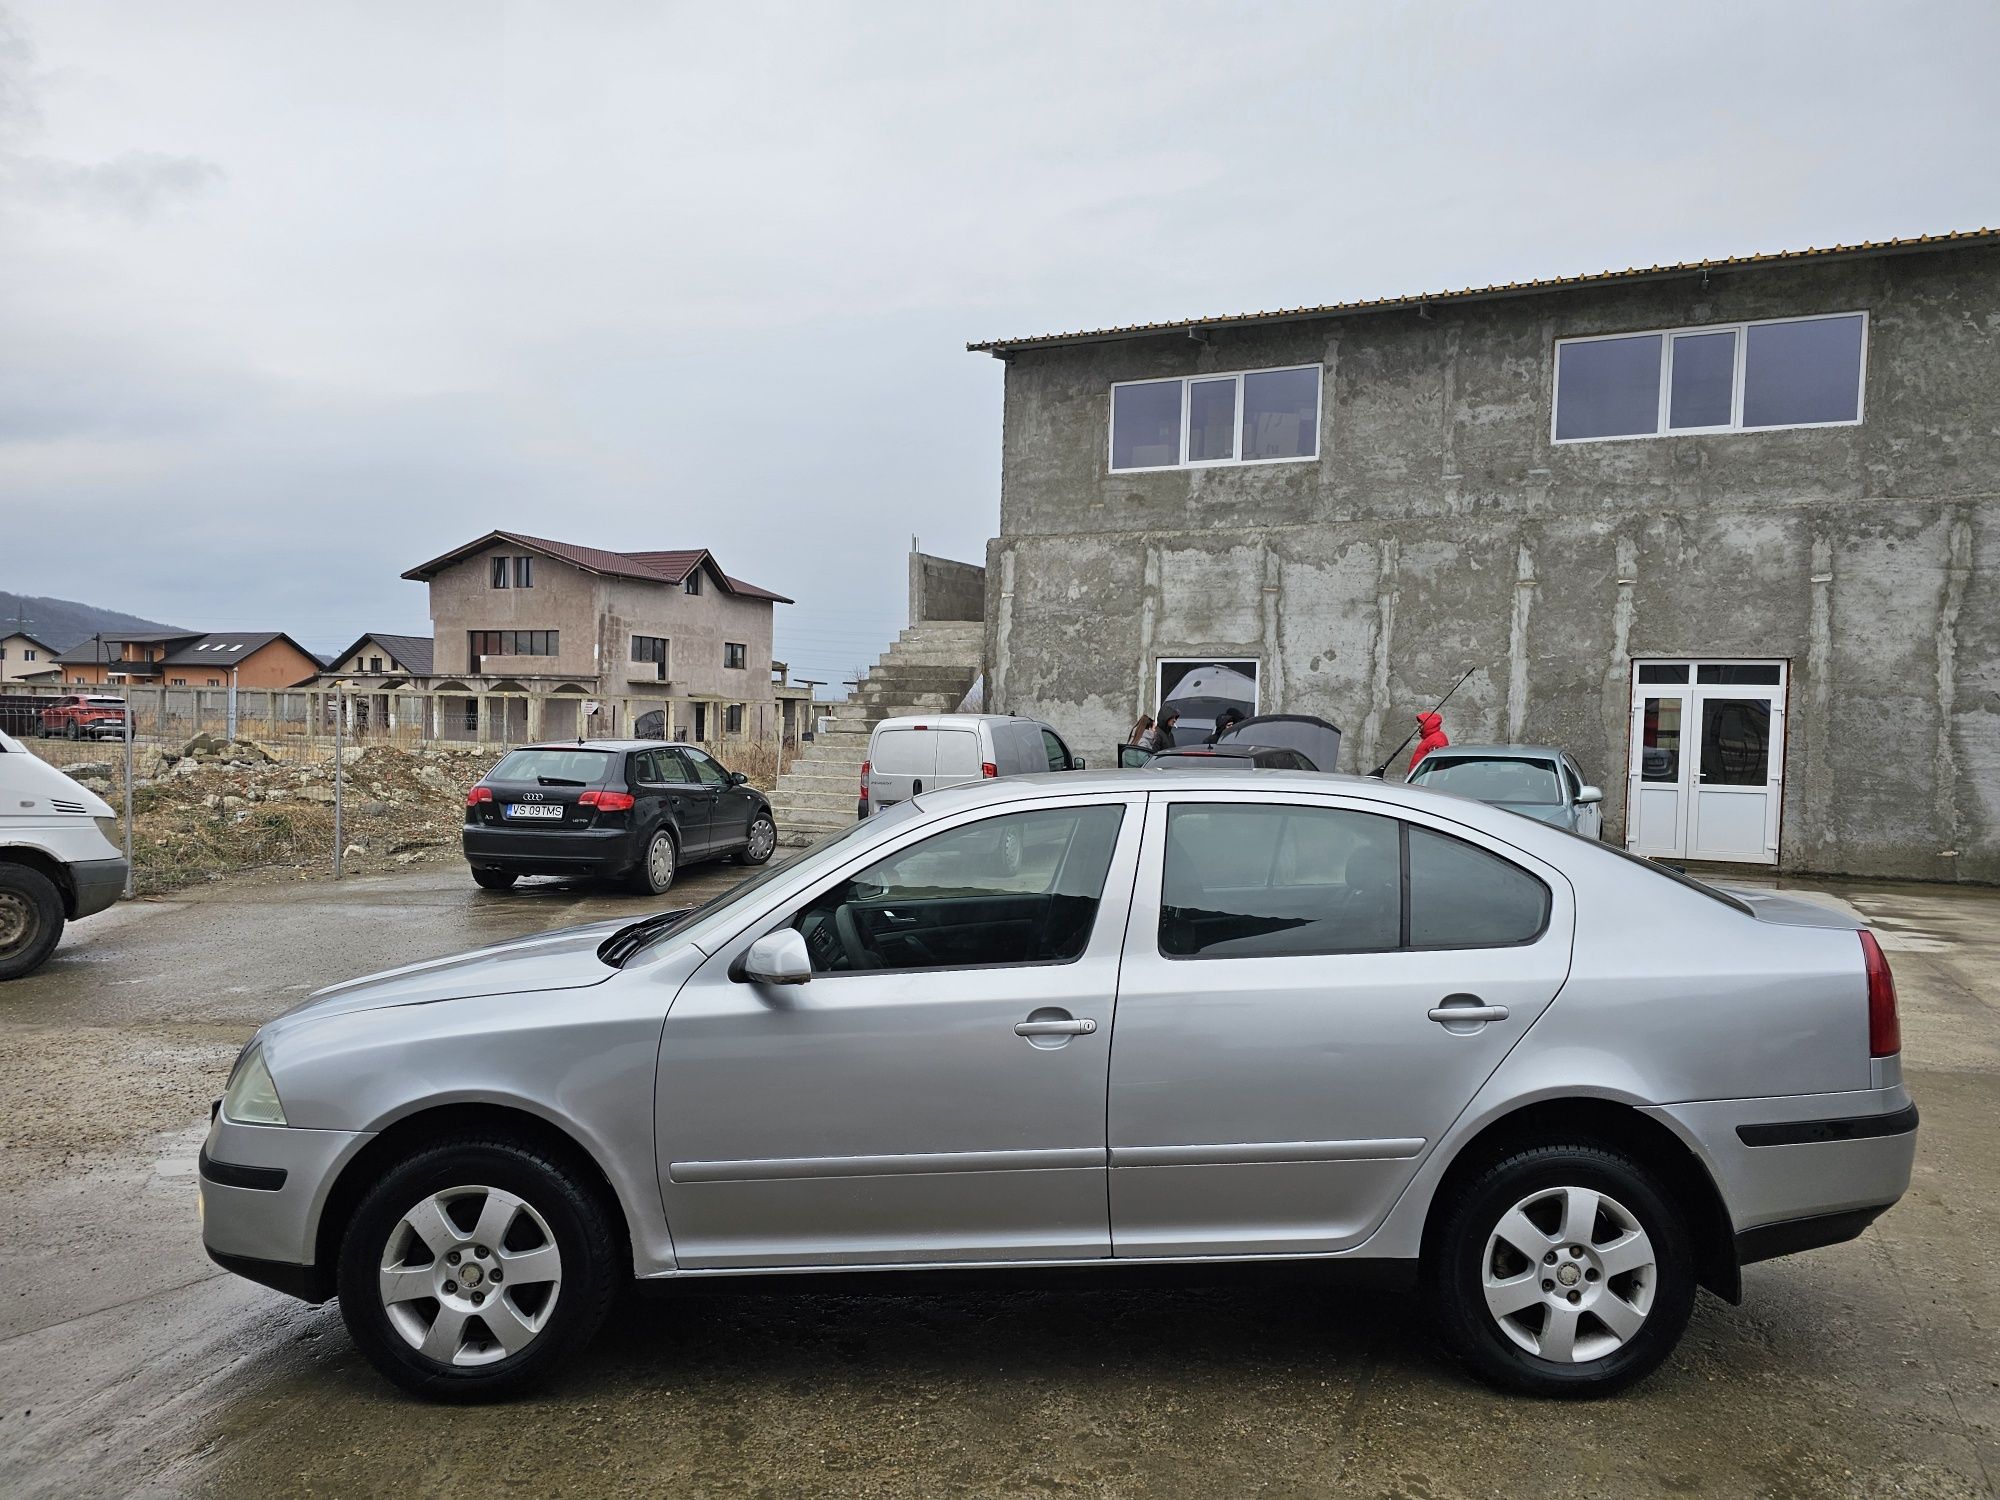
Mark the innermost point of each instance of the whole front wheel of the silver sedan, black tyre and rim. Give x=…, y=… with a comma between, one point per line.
x=551, y=1231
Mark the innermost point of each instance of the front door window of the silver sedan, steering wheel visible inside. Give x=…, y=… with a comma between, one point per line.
x=1021, y=889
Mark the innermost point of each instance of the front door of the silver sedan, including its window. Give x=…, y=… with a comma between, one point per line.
x=935, y=1093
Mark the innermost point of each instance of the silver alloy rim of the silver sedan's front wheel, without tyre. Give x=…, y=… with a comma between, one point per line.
x=471, y=1275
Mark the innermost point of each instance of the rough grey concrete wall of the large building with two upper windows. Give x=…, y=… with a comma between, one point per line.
x=1441, y=529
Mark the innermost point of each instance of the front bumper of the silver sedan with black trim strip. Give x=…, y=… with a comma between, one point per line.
x=263, y=1193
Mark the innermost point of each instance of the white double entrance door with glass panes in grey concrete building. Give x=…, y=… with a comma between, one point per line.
x=1707, y=763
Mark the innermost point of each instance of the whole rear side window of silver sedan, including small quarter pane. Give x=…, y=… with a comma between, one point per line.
x=1255, y=881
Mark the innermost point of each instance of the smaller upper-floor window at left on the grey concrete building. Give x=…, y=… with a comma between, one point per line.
x=1253, y=417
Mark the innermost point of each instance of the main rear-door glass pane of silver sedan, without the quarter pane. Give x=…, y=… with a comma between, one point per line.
x=1257, y=881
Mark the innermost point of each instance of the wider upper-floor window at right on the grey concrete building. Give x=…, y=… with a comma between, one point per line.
x=1783, y=373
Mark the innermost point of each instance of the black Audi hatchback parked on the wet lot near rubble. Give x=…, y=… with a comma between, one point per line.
x=627, y=809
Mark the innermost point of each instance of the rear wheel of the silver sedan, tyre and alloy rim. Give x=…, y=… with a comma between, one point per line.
x=1597, y=1297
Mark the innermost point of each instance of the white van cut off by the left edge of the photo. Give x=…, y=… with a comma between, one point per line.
x=59, y=859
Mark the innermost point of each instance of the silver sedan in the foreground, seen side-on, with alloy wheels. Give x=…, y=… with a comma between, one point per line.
x=1203, y=1019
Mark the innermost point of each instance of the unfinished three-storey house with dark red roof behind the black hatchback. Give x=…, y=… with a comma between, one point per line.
x=535, y=631
